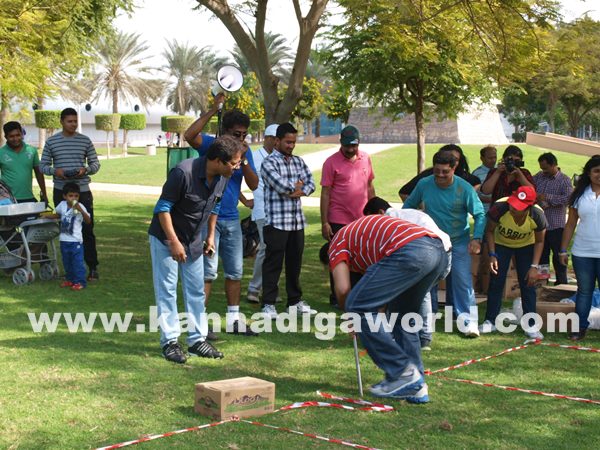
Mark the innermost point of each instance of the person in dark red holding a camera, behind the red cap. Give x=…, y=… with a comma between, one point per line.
x=508, y=176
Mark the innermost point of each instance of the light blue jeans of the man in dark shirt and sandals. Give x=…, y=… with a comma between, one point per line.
x=165, y=273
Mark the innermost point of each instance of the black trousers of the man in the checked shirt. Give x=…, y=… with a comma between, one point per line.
x=282, y=245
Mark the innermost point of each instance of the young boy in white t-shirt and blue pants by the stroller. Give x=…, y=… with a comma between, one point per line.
x=72, y=214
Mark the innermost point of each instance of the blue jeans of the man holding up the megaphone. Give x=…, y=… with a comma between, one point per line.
x=229, y=246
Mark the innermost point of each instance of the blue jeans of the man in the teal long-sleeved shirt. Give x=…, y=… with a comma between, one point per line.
x=459, y=283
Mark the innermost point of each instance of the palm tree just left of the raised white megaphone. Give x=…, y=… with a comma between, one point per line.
x=193, y=70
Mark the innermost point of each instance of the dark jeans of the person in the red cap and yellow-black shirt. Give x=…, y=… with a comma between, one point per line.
x=523, y=260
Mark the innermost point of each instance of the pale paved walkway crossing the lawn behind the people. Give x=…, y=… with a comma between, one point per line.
x=313, y=160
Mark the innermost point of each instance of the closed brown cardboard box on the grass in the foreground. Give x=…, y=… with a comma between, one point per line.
x=241, y=397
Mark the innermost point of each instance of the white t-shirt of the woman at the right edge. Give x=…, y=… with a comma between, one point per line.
x=586, y=243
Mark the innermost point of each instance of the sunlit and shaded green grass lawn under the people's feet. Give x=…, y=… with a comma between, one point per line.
x=83, y=390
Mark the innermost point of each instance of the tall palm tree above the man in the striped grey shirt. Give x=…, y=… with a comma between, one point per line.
x=121, y=61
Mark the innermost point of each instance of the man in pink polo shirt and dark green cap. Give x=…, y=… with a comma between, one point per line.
x=347, y=185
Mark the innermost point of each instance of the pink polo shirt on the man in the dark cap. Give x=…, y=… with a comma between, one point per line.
x=348, y=181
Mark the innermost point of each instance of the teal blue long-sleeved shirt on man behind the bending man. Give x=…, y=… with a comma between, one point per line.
x=450, y=207
